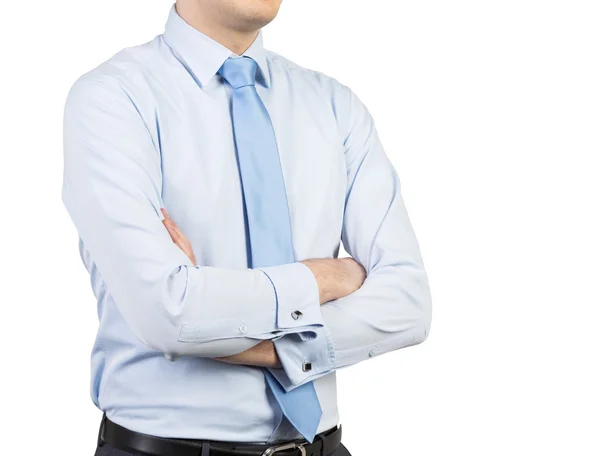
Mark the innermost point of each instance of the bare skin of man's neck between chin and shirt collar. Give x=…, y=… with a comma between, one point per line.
x=235, y=40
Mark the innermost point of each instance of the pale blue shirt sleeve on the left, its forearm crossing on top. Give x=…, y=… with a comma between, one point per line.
x=112, y=191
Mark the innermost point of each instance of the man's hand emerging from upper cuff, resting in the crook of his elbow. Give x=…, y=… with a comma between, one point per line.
x=336, y=277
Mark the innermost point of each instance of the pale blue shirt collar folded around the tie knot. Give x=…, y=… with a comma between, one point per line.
x=203, y=55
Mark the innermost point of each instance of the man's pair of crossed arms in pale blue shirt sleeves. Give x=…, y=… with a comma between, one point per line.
x=112, y=186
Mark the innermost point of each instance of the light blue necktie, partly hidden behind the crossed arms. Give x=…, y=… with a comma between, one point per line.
x=269, y=225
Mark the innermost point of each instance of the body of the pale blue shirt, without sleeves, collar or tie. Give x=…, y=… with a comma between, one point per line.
x=190, y=126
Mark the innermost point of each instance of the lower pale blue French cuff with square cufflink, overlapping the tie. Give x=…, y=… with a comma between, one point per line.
x=303, y=360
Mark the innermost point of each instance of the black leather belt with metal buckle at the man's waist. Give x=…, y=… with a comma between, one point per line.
x=121, y=438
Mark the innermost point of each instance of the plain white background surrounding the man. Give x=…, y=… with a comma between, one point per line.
x=490, y=111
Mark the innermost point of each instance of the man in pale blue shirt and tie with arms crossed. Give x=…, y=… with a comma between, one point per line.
x=211, y=182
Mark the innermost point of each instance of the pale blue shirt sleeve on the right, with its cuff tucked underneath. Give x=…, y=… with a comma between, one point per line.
x=392, y=309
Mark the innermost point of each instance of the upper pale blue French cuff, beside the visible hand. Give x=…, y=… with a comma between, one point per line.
x=298, y=307
